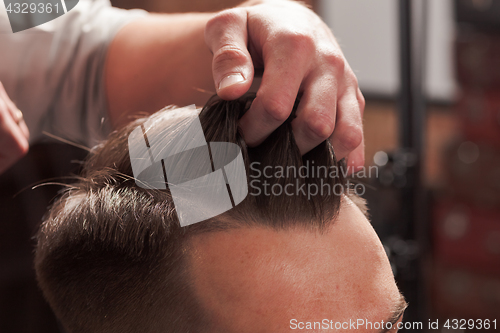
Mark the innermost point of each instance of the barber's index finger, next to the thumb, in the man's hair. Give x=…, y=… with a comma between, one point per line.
x=286, y=65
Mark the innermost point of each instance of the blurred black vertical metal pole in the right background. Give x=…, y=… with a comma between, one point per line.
x=411, y=126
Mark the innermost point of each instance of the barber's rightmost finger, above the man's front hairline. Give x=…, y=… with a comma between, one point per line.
x=347, y=138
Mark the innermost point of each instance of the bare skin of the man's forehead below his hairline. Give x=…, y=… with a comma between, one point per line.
x=258, y=279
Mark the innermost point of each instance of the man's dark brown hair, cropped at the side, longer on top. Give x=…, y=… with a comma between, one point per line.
x=110, y=255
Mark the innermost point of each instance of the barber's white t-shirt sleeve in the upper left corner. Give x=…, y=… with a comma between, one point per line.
x=55, y=72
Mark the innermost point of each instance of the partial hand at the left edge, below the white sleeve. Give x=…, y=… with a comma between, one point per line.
x=13, y=132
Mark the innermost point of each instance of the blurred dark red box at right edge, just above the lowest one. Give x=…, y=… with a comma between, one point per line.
x=467, y=236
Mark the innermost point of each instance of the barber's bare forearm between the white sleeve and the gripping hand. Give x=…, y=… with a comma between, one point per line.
x=158, y=61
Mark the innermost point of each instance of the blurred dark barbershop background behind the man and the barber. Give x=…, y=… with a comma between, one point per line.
x=430, y=72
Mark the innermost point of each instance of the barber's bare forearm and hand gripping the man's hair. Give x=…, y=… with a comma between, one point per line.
x=183, y=59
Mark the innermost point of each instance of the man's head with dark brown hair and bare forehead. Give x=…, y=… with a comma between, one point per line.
x=112, y=257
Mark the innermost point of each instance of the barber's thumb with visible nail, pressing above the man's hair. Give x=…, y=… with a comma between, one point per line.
x=227, y=37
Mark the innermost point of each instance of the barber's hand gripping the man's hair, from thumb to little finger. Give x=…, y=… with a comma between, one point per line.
x=299, y=54
